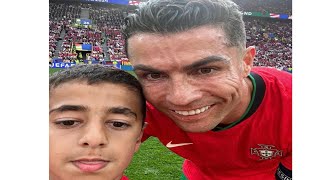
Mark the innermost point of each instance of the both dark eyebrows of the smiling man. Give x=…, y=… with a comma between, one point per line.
x=198, y=63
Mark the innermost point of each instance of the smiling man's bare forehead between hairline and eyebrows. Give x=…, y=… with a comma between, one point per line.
x=198, y=39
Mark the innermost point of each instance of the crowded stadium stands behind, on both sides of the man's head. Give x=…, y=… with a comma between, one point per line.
x=266, y=30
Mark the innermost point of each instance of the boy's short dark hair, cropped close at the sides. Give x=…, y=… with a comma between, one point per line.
x=96, y=74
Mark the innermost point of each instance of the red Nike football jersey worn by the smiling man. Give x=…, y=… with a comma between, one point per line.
x=252, y=149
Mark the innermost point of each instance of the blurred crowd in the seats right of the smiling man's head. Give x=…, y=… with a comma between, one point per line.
x=273, y=41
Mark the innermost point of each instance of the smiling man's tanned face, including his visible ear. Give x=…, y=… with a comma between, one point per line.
x=193, y=69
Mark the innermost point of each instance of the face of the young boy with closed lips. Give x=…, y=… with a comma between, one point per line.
x=94, y=130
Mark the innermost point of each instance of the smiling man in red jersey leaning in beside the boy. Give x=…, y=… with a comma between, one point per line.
x=206, y=102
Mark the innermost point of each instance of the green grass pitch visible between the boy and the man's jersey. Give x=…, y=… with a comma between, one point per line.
x=153, y=161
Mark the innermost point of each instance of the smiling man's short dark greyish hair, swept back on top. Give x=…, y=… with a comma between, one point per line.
x=171, y=16
